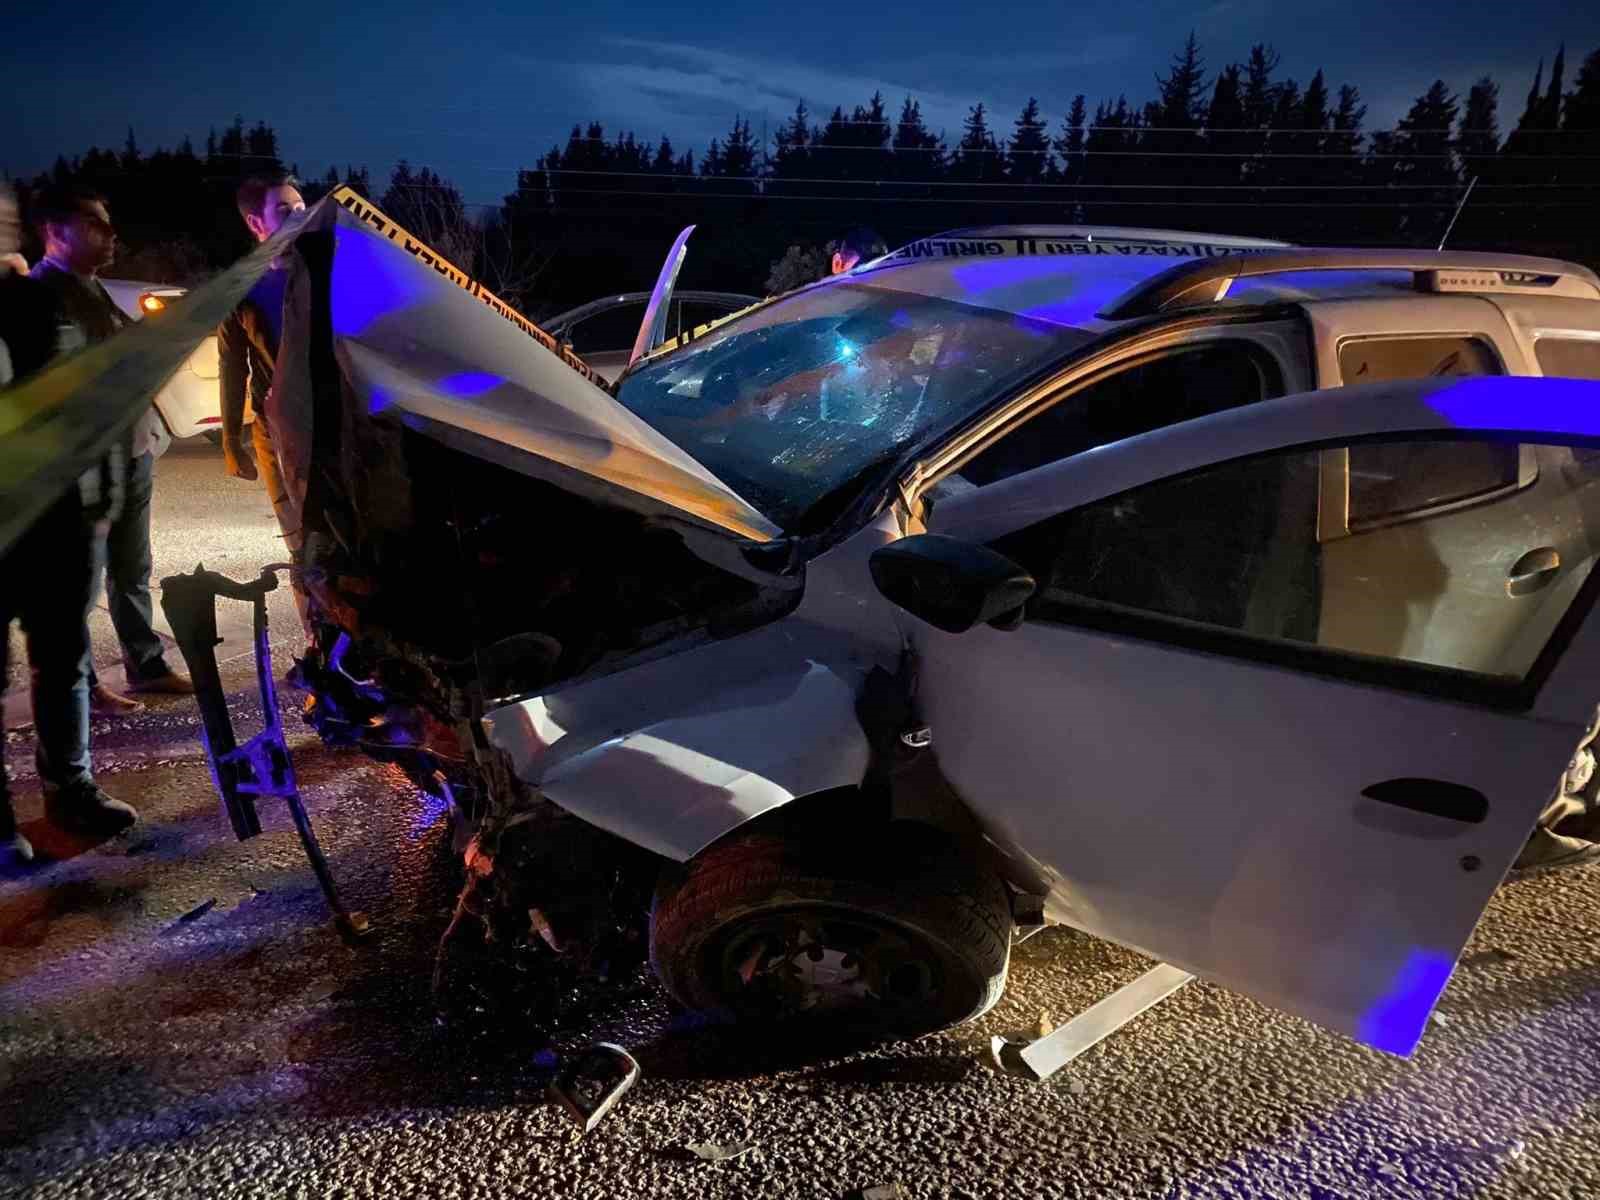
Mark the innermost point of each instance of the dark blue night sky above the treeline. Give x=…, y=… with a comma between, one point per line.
x=478, y=90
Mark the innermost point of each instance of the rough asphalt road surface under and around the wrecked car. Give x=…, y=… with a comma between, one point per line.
x=178, y=1018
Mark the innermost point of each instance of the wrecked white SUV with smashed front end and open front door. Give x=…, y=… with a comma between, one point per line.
x=1222, y=599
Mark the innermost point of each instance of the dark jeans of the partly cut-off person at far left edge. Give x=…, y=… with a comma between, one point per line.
x=46, y=583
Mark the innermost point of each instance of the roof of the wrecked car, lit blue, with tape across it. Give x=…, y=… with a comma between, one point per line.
x=1081, y=278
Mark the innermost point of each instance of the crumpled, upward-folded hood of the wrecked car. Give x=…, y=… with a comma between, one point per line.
x=418, y=342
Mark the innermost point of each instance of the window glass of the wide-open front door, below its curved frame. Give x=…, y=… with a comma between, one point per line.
x=1234, y=551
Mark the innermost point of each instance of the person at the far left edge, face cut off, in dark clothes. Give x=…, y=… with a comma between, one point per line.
x=46, y=582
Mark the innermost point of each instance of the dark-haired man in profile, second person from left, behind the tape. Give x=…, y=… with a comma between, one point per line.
x=79, y=242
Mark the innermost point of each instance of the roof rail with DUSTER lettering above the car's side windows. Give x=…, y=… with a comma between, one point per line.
x=1209, y=279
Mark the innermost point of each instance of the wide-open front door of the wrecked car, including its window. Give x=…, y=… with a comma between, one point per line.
x=1206, y=764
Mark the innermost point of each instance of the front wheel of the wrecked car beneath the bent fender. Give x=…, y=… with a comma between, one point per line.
x=903, y=932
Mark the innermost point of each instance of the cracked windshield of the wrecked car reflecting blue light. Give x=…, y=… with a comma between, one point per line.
x=799, y=399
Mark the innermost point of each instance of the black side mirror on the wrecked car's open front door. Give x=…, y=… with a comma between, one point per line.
x=953, y=585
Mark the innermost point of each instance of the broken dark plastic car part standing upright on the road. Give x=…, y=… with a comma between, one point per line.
x=262, y=766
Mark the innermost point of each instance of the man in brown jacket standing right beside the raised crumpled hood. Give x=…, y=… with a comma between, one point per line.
x=249, y=351
